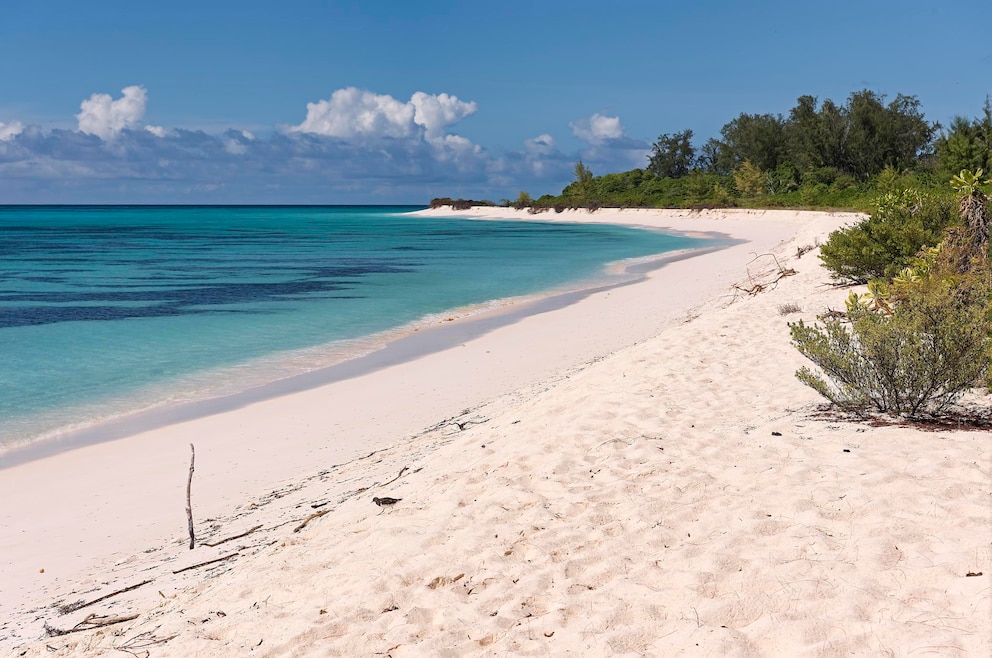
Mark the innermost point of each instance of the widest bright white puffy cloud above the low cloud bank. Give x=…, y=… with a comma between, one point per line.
x=355, y=114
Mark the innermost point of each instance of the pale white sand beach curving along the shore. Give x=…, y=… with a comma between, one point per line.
x=635, y=473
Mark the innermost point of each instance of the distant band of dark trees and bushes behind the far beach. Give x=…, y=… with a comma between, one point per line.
x=819, y=155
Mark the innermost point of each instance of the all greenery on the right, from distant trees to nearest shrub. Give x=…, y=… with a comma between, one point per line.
x=921, y=336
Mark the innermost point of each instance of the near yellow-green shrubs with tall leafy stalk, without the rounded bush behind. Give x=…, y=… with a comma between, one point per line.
x=914, y=344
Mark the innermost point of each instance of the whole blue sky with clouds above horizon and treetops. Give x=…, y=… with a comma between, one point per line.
x=381, y=101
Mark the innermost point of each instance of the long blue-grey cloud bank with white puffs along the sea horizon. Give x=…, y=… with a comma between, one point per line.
x=356, y=146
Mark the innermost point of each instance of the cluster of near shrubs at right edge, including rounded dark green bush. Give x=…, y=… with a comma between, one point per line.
x=922, y=334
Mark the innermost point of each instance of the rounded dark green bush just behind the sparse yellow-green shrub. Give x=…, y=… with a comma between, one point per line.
x=882, y=245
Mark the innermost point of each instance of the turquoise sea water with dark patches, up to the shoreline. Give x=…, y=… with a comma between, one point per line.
x=108, y=310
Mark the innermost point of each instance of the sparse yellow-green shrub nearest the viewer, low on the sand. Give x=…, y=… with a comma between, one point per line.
x=913, y=358
